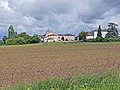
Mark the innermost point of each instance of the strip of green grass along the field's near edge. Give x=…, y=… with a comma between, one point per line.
x=105, y=81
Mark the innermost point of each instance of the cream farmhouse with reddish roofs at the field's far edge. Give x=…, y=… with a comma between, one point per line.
x=54, y=37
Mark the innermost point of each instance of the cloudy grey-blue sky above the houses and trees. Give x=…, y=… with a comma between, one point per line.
x=61, y=16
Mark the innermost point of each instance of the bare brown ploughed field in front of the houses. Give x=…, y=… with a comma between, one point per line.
x=33, y=63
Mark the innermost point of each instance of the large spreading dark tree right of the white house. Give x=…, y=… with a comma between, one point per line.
x=112, y=31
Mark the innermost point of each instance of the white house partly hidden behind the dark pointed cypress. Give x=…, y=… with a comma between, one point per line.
x=93, y=34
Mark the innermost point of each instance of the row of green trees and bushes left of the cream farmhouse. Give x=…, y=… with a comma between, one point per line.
x=14, y=38
